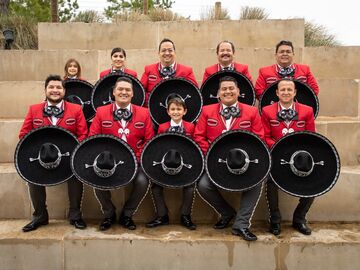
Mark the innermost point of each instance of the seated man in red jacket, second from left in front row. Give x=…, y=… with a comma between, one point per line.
x=132, y=124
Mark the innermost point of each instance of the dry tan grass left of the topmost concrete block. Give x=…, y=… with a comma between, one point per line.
x=25, y=31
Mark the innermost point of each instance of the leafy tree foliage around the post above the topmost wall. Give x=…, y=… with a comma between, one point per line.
x=122, y=6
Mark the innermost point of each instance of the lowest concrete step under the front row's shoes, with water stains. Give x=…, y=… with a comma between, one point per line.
x=60, y=246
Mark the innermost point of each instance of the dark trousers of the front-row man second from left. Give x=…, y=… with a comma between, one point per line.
x=140, y=188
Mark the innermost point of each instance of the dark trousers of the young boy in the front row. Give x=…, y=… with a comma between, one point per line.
x=161, y=208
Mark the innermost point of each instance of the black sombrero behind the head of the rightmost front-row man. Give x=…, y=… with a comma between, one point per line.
x=304, y=95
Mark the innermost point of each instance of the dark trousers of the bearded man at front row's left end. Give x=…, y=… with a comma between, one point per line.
x=38, y=199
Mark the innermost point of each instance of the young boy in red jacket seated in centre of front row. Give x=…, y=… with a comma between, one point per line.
x=176, y=109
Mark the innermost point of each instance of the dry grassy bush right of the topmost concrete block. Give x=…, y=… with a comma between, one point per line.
x=317, y=35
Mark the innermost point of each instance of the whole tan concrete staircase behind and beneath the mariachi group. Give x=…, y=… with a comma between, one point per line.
x=333, y=245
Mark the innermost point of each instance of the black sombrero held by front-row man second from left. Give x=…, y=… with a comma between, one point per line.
x=104, y=162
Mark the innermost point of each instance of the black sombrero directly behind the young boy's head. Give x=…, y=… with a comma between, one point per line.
x=168, y=88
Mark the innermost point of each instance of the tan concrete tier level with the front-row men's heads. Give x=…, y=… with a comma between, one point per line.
x=344, y=91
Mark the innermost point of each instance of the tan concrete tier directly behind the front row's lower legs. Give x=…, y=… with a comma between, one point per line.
x=14, y=193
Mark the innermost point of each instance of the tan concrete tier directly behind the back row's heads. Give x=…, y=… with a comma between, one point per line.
x=31, y=65
